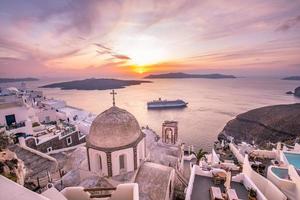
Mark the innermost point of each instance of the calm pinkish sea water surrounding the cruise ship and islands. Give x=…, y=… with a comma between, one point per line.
x=212, y=103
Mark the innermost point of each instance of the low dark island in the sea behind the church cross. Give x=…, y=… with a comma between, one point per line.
x=94, y=84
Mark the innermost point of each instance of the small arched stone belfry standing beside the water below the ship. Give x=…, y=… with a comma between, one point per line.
x=170, y=132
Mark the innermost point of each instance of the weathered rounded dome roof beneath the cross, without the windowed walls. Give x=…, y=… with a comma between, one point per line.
x=114, y=128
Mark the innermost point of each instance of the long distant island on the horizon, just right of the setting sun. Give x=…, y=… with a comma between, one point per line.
x=185, y=75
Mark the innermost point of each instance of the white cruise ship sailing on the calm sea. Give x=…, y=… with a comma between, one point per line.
x=159, y=104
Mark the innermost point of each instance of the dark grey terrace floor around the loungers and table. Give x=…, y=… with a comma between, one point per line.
x=202, y=185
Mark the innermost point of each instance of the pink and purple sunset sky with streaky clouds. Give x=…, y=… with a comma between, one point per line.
x=131, y=38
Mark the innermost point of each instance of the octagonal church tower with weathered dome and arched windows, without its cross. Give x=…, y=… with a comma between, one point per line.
x=115, y=144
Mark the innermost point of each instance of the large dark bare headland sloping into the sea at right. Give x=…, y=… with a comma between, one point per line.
x=278, y=123
